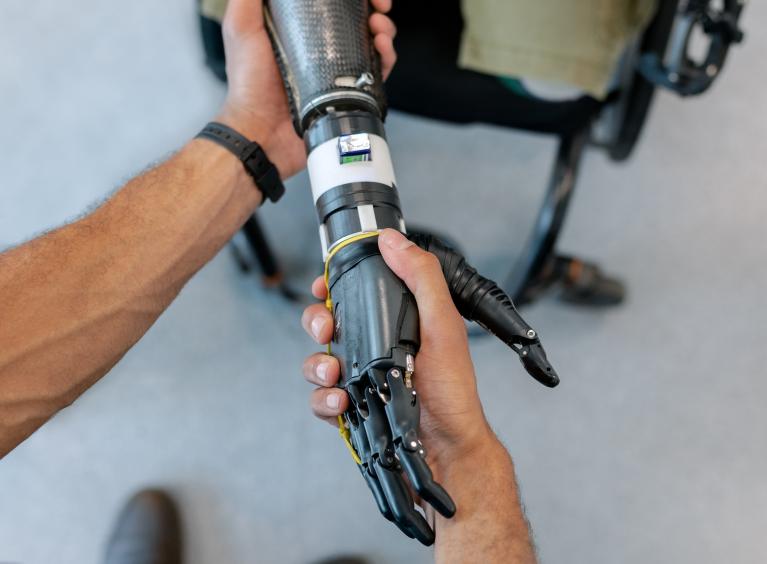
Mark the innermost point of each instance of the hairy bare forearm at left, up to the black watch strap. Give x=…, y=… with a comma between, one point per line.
x=112, y=274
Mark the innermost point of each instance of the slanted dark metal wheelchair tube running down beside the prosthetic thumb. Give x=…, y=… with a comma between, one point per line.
x=540, y=246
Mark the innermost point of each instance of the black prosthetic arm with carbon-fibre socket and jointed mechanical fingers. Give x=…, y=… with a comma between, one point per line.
x=333, y=80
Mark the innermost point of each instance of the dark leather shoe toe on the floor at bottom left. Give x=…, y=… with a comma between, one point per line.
x=147, y=531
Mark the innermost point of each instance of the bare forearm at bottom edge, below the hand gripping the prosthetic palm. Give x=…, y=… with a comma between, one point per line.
x=489, y=525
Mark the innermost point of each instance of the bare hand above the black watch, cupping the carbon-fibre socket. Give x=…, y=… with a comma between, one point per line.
x=257, y=105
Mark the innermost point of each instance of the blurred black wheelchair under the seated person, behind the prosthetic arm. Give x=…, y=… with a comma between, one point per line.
x=429, y=33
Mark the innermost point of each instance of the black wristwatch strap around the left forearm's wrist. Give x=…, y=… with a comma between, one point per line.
x=258, y=165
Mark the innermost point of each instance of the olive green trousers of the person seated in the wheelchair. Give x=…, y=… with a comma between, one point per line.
x=574, y=42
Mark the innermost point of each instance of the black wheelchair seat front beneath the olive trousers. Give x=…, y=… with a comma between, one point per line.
x=429, y=81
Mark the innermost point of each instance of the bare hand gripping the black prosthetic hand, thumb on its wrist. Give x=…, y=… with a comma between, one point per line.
x=453, y=424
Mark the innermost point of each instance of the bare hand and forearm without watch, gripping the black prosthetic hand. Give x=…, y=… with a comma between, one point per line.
x=462, y=451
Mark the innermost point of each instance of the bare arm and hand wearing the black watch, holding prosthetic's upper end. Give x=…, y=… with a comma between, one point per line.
x=74, y=301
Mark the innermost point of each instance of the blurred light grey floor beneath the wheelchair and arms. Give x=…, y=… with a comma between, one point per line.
x=654, y=449
